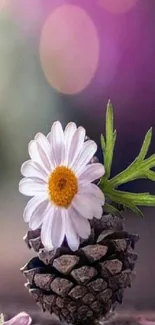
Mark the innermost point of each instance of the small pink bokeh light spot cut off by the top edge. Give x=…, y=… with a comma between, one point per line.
x=117, y=6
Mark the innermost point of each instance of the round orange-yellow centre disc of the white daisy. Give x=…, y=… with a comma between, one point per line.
x=62, y=186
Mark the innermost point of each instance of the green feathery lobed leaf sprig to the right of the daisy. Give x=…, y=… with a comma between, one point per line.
x=140, y=168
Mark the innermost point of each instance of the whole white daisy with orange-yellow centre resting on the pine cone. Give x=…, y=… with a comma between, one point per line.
x=59, y=177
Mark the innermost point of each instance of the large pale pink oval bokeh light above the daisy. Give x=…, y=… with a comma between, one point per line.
x=69, y=49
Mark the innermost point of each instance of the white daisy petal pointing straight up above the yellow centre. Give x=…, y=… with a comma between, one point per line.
x=57, y=142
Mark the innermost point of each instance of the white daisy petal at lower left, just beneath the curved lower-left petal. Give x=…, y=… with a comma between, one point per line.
x=38, y=215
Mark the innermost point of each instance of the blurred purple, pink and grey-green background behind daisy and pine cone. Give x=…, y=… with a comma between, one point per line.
x=64, y=60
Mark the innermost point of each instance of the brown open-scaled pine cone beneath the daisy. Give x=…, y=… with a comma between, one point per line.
x=83, y=286
